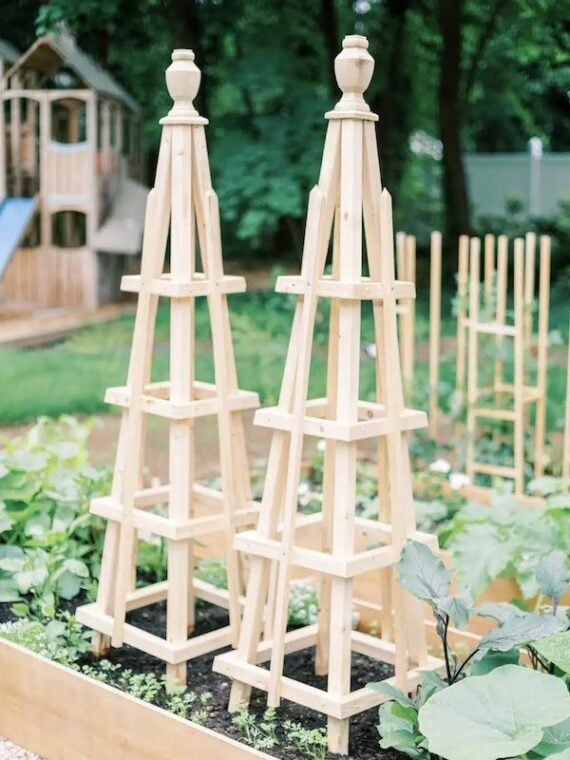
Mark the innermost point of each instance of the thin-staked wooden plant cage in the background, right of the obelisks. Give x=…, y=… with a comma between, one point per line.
x=499, y=399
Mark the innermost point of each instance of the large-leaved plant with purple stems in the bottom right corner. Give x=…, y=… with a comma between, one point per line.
x=485, y=706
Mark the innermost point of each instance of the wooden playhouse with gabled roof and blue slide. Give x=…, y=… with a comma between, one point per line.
x=71, y=206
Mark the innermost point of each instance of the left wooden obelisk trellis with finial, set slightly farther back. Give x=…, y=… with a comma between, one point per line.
x=183, y=202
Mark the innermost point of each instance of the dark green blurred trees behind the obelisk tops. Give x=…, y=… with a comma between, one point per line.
x=477, y=76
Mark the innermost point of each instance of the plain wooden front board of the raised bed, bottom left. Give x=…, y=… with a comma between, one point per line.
x=58, y=713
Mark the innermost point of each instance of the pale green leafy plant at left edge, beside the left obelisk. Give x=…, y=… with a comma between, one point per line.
x=50, y=547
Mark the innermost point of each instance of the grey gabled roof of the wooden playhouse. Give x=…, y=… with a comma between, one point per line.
x=48, y=53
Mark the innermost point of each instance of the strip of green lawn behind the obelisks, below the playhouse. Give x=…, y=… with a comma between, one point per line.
x=71, y=376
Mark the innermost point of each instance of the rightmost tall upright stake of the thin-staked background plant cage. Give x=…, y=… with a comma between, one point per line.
x=542, y=361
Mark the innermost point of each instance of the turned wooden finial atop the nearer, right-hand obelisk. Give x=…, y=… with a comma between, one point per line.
x=353, y=68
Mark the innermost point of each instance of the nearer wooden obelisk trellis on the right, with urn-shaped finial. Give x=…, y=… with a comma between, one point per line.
x=349, y=192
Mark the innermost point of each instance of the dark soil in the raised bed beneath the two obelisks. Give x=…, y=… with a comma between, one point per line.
x=299, y=665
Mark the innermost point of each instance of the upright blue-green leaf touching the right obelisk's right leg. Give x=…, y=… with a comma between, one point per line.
x=422, y=573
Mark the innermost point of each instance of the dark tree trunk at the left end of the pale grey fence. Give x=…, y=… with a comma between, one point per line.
x=455, y=196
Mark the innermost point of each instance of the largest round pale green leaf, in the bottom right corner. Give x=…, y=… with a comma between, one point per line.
x=501, y=714
